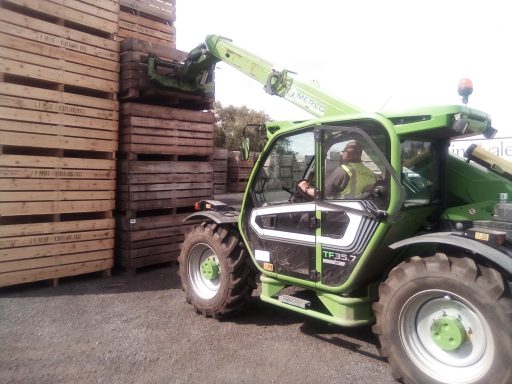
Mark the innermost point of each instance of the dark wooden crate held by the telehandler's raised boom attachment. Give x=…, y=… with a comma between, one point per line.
x=135, y=83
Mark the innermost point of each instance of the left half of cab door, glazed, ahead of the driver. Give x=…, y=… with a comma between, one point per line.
x=277, y=221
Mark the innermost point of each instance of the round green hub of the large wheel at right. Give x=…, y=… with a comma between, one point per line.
x=448, y=333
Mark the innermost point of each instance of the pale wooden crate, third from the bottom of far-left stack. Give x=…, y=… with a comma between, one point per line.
x=42, y=118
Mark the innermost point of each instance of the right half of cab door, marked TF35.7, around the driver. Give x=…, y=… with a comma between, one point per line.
x=347, y=222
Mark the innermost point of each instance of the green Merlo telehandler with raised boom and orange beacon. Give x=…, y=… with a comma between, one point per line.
x=424, y=256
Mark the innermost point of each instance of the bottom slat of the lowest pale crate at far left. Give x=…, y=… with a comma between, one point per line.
x=54, y=272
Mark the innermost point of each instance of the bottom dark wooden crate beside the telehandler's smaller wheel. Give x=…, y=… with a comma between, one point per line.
x=149, y=240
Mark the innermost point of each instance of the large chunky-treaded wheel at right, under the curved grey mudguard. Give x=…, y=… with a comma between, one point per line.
x=445, y=320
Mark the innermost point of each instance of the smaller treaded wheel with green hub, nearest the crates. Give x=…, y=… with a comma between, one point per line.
x=222, y=289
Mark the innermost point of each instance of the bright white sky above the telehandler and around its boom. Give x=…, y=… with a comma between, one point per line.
x=376, y=54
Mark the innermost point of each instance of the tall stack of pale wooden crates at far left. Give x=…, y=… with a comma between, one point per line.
x=59, y=74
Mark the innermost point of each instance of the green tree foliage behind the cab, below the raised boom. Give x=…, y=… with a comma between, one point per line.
x=230, y=122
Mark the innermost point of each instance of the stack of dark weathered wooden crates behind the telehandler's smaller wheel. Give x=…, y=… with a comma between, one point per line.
x=165, y=155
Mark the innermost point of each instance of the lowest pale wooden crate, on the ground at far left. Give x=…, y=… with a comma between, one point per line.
x=51, y=250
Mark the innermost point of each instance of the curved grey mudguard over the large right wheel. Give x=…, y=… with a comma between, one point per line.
x=452, y=238
